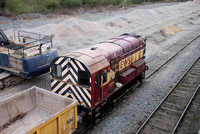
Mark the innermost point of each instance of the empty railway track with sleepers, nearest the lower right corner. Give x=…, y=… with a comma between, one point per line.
x=168, y=114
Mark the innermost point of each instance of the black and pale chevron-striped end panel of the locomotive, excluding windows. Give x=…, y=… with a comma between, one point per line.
x=68, y=84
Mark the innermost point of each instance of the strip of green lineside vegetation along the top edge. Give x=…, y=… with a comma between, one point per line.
x=28, y=6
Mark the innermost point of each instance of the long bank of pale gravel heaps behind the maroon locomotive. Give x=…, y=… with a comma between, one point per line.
x=72, y=33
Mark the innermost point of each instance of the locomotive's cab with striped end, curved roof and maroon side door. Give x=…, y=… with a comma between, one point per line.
x=80, y=75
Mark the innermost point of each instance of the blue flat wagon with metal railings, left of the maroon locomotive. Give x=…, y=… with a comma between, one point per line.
x=25, y=55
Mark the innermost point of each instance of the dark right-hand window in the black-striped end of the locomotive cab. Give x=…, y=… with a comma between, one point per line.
x=83, y=78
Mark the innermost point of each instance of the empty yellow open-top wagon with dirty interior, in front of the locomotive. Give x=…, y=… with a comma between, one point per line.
x=38, y=111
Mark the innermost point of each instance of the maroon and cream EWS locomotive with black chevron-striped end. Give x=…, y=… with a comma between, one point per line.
x=93, y=76
